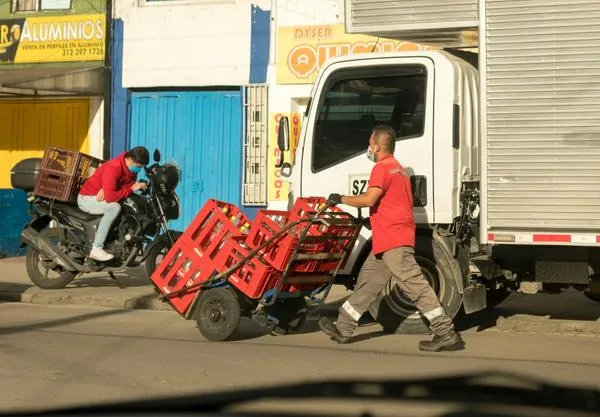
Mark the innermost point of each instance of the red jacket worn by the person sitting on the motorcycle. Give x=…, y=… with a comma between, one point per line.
x=114, y=177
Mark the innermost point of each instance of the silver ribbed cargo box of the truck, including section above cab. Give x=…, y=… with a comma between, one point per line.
x=540, y=107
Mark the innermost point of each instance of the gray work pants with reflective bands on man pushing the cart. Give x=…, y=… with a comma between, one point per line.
x=375, y=275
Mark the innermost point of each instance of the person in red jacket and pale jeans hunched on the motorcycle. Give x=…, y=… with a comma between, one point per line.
x=112, y=182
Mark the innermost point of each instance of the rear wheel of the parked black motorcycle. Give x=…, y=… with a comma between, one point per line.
x=39, y=268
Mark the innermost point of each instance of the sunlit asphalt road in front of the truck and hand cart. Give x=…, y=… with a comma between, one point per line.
x=53, y=356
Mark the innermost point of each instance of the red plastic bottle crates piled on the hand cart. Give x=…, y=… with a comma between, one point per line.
x=221, y=236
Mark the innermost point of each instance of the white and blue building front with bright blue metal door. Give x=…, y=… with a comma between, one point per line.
x=189, y=79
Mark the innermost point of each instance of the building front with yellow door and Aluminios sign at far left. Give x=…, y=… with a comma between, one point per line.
x=52, y=85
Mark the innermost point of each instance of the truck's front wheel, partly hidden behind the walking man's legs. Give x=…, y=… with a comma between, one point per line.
x=397, y=314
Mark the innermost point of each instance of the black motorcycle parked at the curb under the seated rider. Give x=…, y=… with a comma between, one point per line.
x=60, y=234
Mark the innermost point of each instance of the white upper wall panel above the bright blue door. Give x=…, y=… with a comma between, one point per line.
x=186, y=44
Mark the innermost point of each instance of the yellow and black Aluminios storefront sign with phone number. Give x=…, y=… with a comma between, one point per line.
x=40, y=39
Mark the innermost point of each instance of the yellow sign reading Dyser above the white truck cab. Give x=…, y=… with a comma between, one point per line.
x=302, y=50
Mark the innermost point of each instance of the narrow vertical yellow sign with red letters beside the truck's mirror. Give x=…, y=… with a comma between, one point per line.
x=278, y=188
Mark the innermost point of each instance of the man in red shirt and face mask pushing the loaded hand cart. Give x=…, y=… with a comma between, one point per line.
x=389, y=197
